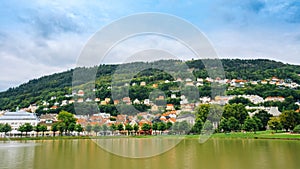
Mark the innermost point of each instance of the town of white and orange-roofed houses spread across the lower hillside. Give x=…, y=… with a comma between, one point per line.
x=160, y=118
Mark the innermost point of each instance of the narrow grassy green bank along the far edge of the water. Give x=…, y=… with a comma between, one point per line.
x=232, y=135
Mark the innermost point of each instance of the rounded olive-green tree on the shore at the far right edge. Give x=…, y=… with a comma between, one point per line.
x=289, y=119
